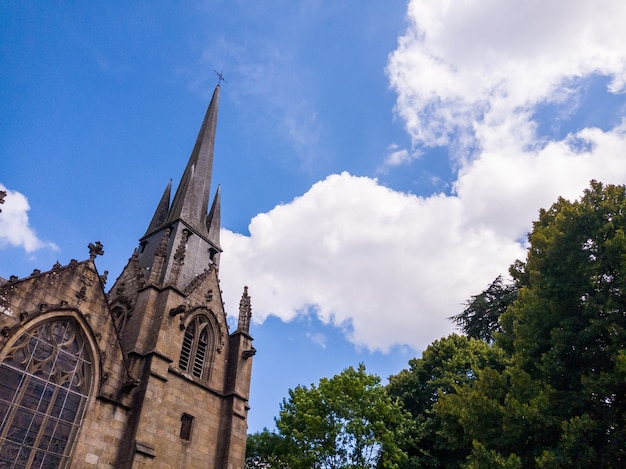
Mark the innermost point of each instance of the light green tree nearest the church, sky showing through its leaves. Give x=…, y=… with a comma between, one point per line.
x=347, y=421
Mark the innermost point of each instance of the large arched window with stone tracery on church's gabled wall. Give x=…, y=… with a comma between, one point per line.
x=45, y=380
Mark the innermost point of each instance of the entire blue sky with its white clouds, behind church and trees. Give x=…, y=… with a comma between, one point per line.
x=380, y=162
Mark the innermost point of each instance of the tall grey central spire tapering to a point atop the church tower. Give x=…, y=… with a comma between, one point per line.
x=192, y=196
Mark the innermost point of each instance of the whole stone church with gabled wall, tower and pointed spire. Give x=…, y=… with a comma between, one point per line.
x=147, y=375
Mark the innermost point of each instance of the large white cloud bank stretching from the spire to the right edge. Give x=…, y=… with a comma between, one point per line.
x=390, y=268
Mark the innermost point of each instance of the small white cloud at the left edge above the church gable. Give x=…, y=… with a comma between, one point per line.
x=15, y=229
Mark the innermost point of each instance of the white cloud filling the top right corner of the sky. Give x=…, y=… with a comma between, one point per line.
x=462, y=65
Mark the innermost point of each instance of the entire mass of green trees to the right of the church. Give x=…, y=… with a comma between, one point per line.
x=537, y=381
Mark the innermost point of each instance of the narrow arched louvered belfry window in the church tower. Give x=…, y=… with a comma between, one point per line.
x=196, y=347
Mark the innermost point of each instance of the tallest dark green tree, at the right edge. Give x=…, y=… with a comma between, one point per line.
x=569, y=325
